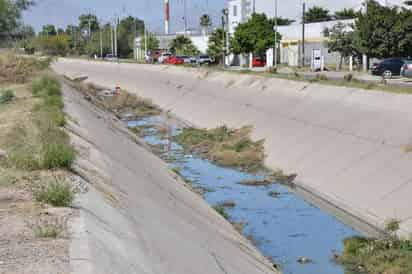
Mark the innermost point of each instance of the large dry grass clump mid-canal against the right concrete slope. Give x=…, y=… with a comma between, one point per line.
x=227, y=147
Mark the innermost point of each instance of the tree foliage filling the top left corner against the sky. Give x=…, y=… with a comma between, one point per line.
x=10, y=15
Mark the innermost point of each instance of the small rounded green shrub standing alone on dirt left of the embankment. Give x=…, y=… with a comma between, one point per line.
x=56, y=193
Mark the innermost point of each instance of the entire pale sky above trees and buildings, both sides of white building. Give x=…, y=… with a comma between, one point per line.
x=64, y=12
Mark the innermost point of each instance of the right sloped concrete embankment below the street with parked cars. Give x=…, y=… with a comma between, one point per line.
x=349, y=146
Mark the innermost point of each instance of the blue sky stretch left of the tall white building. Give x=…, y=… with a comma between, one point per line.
x=63, y=12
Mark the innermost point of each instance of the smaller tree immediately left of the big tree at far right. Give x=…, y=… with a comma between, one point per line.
x=341, y=39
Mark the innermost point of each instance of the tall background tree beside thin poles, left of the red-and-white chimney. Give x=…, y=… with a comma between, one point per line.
x=128, y=29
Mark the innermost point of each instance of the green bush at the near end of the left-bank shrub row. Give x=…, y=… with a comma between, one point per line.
x=57, y=155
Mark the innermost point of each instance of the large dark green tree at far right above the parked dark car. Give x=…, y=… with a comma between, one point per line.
x=384, y=32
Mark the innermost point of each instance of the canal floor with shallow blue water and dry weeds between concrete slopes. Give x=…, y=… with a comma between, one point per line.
x=297, y=236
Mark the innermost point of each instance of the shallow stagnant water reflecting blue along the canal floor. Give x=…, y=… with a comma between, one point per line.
x=284, y=228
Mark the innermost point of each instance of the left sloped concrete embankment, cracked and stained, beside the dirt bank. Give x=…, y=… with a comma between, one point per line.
x=137, y=217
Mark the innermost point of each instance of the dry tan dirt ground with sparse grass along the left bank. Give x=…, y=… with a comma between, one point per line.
x=24, y=245
